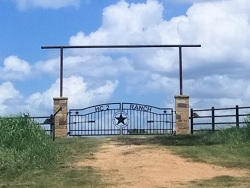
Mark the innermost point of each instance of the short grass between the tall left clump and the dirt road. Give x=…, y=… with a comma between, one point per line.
x=63, y=173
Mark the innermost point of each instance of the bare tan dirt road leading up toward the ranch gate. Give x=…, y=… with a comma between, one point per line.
x=140, y=166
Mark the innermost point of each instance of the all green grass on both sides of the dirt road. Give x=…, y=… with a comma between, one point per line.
x=29, y=159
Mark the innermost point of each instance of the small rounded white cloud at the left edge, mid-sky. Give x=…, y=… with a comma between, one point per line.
x=15, y=69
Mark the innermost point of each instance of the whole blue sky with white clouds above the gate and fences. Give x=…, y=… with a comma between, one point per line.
x=215, y=75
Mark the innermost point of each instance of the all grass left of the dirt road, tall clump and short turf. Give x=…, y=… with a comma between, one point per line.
x=29, y=157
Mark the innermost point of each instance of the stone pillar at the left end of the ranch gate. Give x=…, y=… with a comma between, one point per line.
x=61, y=117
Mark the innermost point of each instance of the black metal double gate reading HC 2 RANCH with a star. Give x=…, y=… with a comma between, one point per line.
x=120, y=119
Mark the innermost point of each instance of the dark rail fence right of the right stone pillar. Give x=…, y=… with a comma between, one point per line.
x=216, y=118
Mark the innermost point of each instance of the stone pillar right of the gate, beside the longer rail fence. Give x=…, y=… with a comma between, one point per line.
x=182, y=114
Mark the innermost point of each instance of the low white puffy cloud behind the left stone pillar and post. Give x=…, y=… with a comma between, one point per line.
x=80, y=94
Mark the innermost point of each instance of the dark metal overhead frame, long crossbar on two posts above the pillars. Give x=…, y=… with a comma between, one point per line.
x=180, y=46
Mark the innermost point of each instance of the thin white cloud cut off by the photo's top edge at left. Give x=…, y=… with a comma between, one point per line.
x=54, y=4
